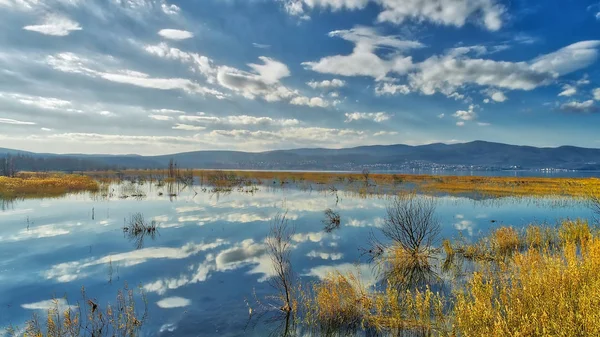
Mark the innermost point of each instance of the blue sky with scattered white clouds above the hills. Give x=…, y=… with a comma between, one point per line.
x=165, y=76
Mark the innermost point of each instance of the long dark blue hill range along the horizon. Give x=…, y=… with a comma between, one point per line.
x=477, y=155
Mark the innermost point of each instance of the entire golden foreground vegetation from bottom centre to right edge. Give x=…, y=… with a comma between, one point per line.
x=541, y=282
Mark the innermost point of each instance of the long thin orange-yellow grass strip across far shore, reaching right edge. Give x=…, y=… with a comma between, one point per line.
x=454, y=185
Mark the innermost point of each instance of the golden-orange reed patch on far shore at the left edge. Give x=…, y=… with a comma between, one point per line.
x=34, y=185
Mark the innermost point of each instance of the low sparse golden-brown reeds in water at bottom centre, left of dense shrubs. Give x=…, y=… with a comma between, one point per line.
x=341, y=304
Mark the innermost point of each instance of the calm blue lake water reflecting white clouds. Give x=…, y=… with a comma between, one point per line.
x=209, y=255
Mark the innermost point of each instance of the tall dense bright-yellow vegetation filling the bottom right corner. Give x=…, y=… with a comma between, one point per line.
x=537, y=292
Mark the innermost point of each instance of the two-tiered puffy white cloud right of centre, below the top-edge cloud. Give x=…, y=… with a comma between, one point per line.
x=363, y=61
